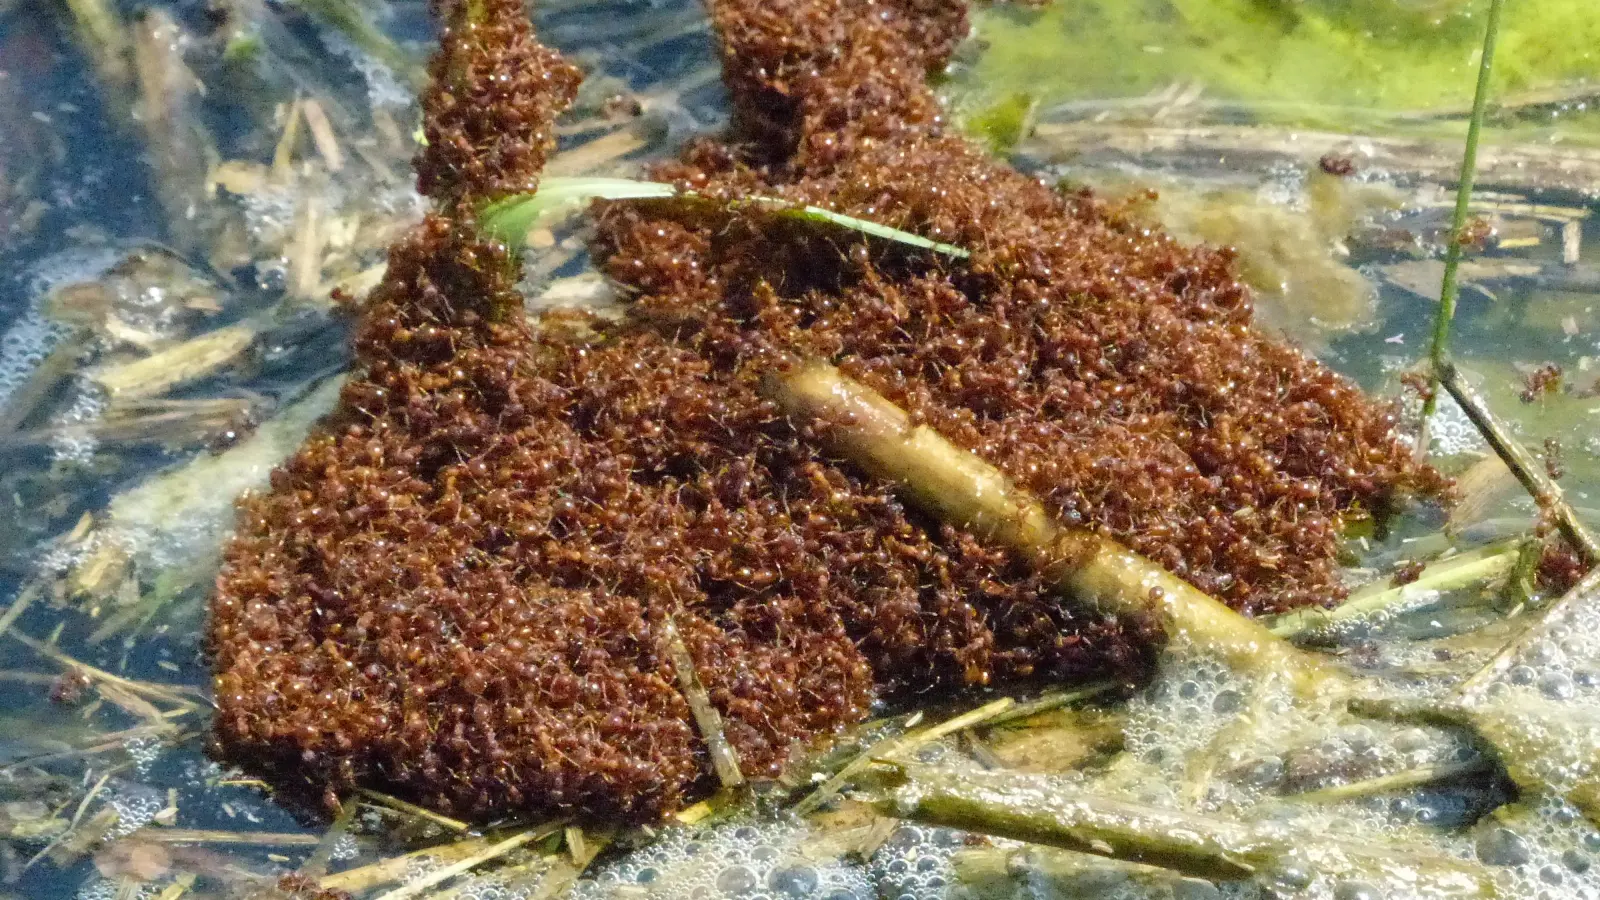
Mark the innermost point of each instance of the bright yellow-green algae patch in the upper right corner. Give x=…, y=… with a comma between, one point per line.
x=1306, y=63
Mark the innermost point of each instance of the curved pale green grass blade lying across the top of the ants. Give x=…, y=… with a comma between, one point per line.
x=510, y=220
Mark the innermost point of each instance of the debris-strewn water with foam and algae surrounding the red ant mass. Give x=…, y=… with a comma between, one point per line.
x=183, y=185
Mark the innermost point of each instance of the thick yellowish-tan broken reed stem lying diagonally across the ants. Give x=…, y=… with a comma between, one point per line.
x=970, y=494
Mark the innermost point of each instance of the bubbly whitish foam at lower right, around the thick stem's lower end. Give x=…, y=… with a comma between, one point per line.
x=1252, y=744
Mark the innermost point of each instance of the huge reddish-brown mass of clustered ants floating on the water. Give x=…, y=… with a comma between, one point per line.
x=460, y=589
